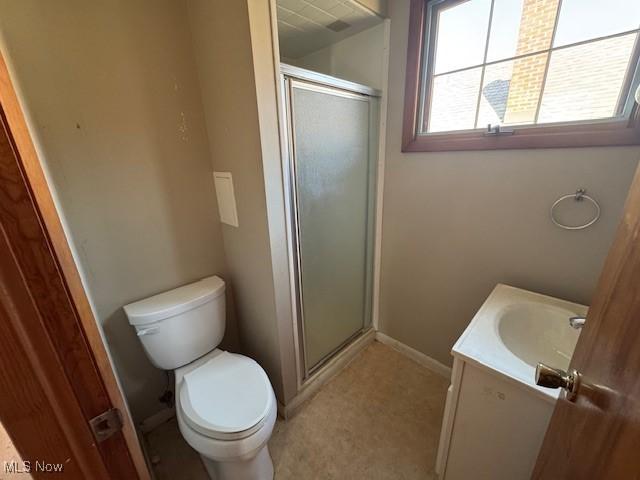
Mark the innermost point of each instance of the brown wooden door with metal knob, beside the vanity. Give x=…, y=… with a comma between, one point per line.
x=598, y=435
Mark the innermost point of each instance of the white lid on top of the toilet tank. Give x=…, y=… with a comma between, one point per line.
x=173, y=302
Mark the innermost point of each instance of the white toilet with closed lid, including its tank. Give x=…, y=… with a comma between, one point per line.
x=225, y=404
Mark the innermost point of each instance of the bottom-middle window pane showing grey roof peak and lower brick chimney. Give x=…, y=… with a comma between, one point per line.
x=511, y=91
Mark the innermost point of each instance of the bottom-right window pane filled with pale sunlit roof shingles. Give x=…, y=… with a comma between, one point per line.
x=584, y=82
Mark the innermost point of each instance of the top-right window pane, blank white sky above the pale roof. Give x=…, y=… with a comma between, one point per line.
x=586, y=19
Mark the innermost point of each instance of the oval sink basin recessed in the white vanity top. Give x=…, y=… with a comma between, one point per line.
x=538, y=333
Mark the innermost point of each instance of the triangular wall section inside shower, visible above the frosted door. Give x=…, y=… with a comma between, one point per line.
x=358, y=58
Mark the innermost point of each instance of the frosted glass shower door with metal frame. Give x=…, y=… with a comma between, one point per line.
x=330, y=177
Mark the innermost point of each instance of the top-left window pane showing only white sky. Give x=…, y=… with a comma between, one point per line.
x=462, y=35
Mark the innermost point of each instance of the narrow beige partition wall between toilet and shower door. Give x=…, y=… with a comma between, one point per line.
x=227, y=62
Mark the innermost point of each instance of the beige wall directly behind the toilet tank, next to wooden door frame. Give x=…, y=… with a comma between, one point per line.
x=113, y=94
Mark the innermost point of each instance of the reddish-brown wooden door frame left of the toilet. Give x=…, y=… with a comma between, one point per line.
x=55, y=375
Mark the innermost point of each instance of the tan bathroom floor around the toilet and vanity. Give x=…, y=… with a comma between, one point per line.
x=377, y=419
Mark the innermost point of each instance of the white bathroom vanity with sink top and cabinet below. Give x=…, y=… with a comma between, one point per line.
x=495, y=416
